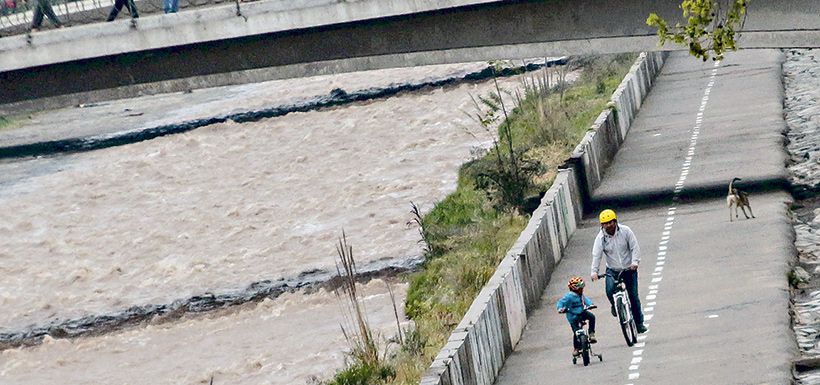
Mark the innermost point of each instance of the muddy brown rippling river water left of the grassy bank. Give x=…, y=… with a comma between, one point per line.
x=213, y=210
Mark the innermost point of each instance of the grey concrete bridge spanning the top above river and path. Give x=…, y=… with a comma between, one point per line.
x=269, y=40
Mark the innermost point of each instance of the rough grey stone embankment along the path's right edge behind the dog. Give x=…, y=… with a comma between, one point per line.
x=801, y=77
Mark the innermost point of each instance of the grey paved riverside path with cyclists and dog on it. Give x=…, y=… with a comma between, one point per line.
x=715, y=293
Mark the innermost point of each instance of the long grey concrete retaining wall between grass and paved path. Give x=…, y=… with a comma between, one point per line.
x=493, y=325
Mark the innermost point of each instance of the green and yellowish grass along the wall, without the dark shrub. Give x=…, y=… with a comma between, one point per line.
x=468, y=237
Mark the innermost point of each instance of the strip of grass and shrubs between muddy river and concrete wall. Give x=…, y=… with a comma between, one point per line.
x=468, y=233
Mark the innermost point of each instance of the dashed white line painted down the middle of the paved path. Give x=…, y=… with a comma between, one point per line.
x=649, y=309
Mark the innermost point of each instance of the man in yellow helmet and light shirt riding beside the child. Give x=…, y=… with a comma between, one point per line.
x=619, y=245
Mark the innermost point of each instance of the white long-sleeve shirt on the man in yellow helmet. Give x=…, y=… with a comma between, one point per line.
x=621, y=249
